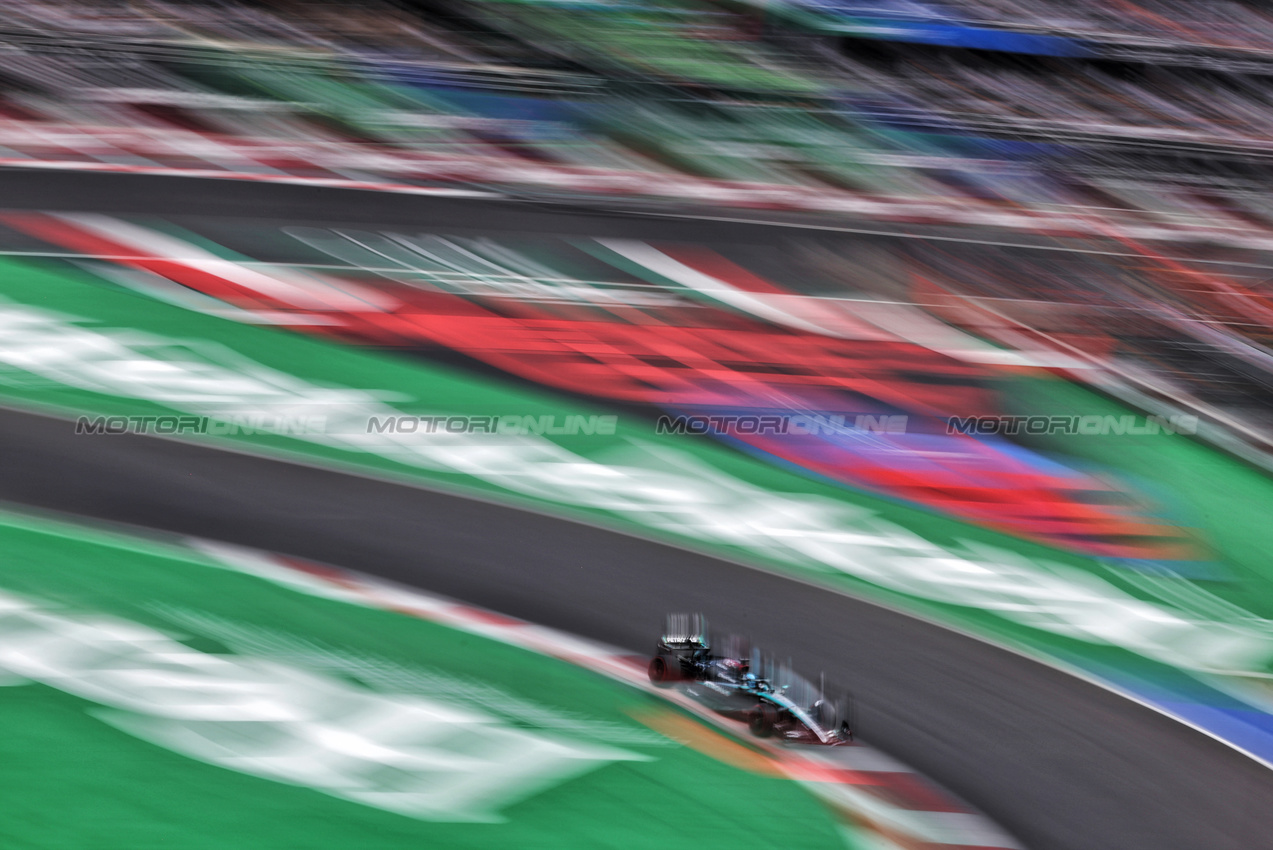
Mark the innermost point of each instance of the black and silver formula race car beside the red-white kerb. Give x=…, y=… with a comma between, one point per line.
x=795, y=711
